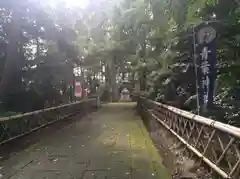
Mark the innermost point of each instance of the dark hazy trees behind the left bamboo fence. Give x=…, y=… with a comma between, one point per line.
x=36, y=56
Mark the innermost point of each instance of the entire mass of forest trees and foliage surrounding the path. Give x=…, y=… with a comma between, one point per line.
x=145, y=41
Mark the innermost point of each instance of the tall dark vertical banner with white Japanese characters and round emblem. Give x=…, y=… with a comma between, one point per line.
x=205, y=53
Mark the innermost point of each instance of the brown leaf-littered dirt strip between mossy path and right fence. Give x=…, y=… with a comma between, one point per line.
x=174, y=153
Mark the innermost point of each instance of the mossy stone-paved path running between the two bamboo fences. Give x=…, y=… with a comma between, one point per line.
x=109, y=144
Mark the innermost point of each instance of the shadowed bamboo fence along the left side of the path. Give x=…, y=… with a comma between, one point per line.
x=16, y=126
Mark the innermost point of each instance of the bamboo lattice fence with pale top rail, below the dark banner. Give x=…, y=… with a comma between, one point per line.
x=216, y=144
